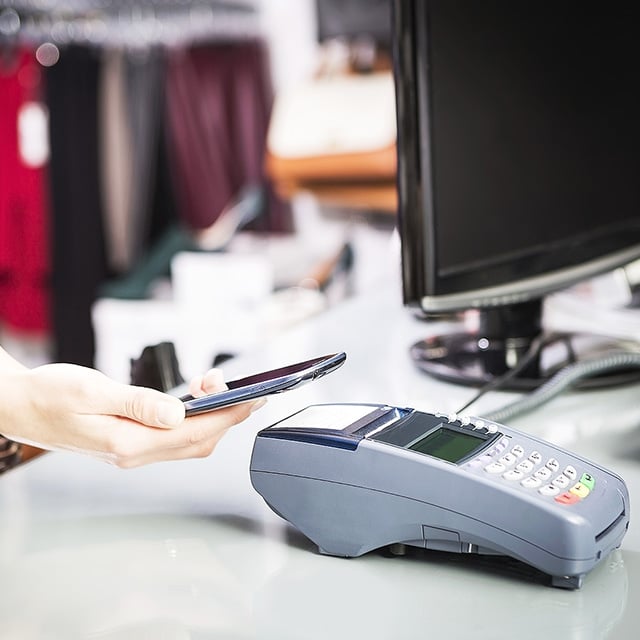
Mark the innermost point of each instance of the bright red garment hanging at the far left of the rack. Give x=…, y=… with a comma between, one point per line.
x=24, y=251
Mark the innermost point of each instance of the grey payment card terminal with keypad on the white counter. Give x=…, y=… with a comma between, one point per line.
x=358, y=477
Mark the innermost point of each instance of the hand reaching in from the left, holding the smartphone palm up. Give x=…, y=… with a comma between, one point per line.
x=68, y=407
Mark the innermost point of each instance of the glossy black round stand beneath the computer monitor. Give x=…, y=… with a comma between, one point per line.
x=505, y=335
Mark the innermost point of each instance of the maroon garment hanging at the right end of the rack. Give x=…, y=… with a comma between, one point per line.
x=219, y=100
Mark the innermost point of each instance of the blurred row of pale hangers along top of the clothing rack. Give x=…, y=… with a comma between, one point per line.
x=124, y=24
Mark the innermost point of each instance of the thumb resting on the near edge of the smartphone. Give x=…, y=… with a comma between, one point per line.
x=150, y=407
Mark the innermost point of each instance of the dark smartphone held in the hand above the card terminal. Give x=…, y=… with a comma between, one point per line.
x=265, y=383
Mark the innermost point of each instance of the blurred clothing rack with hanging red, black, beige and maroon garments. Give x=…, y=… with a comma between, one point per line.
x=143, y=136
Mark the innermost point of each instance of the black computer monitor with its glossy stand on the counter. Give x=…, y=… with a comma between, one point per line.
x=518, y=166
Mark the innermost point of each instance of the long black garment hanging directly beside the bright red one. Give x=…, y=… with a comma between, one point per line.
x=78, y=253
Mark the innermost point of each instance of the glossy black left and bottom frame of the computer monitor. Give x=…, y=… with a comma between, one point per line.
x=424, y=287
